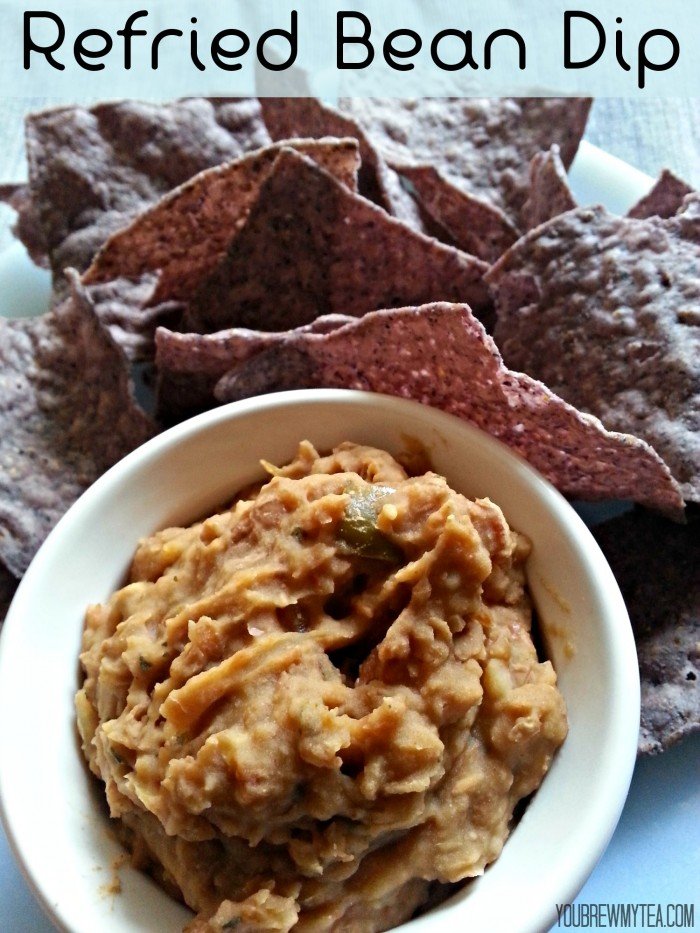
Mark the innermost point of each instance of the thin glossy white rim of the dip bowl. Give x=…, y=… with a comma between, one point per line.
x=611, y=794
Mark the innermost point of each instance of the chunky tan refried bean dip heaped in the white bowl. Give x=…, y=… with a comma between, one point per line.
x=312, y=707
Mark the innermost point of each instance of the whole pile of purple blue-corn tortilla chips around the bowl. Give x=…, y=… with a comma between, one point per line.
x=429, y=249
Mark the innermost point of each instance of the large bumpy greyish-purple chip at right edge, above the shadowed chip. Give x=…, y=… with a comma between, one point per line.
x=603, y=310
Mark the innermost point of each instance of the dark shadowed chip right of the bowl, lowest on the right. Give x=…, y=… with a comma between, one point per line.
x=663, y=600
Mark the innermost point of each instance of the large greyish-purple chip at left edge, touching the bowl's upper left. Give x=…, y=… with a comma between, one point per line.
x=67, y=414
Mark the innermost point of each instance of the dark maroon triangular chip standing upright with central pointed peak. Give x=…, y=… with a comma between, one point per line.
x=311, y=247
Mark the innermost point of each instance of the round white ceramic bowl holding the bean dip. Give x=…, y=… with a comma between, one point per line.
x=51, y=812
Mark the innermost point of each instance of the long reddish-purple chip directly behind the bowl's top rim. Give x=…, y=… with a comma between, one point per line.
x=440, y=355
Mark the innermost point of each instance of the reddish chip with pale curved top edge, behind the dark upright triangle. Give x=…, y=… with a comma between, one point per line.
x=144, y=273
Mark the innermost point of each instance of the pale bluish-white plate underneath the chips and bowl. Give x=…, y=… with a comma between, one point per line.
x=654, y=854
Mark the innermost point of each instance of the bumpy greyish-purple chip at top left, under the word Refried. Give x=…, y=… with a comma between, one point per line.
x=92, y=170
